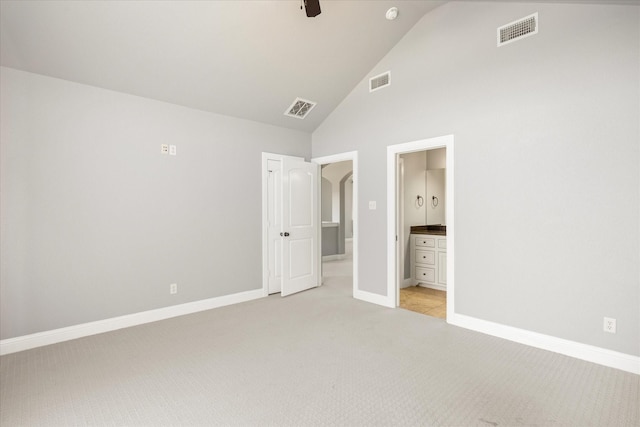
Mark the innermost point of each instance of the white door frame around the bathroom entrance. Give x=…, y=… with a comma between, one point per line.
x=392, y=199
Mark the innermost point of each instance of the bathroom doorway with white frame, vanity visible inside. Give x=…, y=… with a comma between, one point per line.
x=420, y=255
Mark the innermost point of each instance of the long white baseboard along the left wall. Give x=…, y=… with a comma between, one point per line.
x=26, y=342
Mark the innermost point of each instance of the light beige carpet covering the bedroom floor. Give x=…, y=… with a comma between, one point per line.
x=315, y=358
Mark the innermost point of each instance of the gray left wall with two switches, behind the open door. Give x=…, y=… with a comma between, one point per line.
x=96, y=223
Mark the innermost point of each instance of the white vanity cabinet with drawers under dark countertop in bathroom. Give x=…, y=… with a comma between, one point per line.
x=429, y=260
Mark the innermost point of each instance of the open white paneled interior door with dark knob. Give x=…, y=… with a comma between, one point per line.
x=300, y=225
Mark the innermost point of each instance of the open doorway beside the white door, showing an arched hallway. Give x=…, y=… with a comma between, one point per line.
x=339, y=214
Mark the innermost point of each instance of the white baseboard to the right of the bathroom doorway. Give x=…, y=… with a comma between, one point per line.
x=601, y=356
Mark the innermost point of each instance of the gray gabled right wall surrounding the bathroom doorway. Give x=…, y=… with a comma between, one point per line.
x=547, y=180
